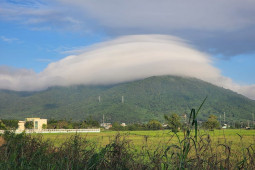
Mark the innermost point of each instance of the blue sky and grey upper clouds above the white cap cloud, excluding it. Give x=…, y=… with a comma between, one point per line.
x=34, y=33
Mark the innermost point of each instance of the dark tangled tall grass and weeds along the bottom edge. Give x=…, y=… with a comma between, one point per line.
x=21, y=151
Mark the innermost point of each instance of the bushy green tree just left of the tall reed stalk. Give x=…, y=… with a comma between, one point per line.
x=173, y=122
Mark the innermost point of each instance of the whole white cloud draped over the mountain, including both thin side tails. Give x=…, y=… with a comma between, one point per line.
x=123, y=59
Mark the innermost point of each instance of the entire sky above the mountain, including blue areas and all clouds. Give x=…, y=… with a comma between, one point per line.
x=46, y=43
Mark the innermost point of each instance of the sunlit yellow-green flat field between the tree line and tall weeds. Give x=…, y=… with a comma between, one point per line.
x=139, y=138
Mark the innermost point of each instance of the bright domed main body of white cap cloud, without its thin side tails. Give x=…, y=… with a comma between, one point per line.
x=130, y=58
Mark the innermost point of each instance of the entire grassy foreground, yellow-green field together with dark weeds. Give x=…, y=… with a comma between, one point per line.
x=219, y=149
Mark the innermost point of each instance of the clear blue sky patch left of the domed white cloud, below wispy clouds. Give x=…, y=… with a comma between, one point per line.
x=22, y=47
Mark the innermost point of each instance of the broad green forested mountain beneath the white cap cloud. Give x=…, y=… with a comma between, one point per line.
x=145, y=99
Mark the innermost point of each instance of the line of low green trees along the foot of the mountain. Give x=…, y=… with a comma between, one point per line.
x=172, y=122
